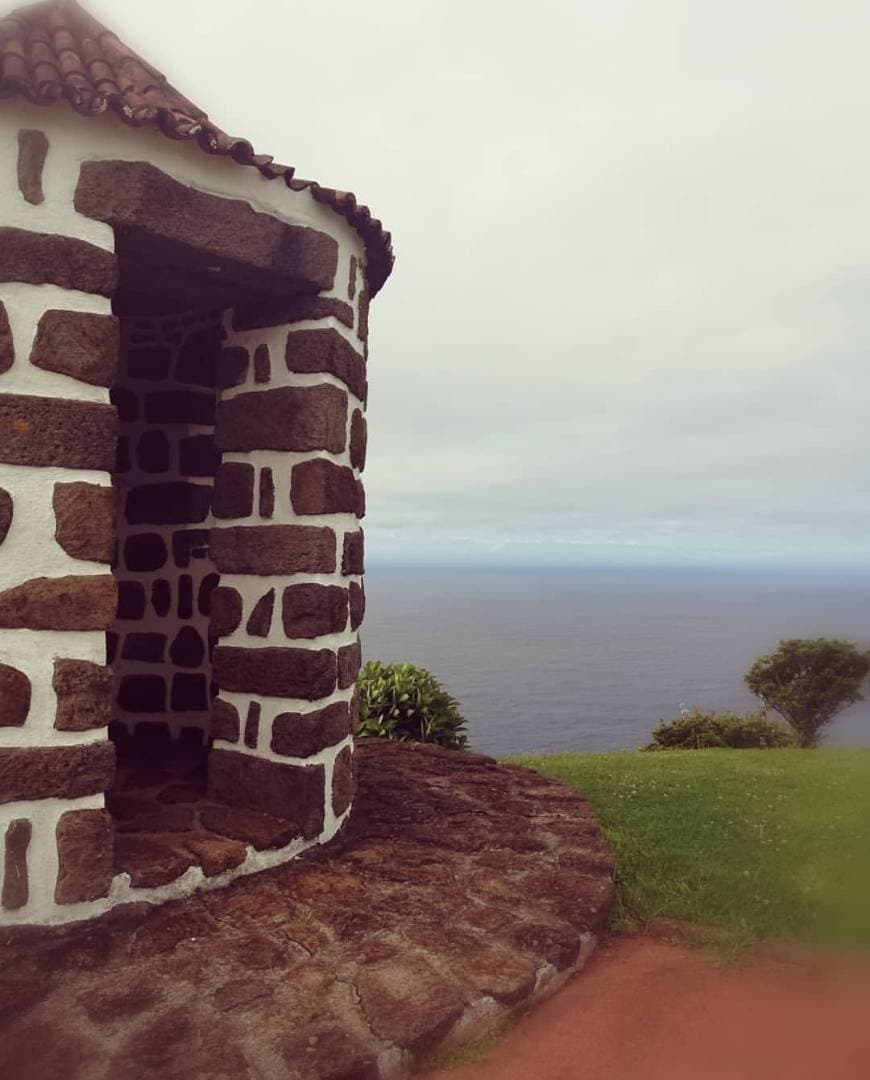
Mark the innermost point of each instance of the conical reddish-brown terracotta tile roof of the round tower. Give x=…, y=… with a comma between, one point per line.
x=56, y=51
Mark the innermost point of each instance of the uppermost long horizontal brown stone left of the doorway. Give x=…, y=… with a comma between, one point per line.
x=39, y=259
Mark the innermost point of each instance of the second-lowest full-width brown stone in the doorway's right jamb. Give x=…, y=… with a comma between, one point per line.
x=281, y=673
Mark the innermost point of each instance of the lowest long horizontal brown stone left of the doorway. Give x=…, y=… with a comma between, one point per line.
x=64, y=773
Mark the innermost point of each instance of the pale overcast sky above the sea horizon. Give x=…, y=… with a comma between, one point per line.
x=630, y=318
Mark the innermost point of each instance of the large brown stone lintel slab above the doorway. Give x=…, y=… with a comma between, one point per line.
x=252, y=247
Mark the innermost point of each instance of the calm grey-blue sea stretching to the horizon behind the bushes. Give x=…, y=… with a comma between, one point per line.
x=592, y=659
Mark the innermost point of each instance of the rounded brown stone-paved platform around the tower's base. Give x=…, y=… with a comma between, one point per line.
x=461, y=892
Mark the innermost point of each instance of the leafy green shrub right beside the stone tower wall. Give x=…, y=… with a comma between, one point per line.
x=409, y=705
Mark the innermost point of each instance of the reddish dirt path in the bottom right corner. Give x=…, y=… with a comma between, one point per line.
x=647, y=1010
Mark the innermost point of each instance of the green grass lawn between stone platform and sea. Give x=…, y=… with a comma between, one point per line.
x=759, y=844
